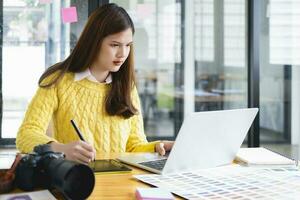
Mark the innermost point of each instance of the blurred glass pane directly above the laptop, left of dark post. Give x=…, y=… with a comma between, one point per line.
x=220, y=31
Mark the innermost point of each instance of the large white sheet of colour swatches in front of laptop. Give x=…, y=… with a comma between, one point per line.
x=231, y=182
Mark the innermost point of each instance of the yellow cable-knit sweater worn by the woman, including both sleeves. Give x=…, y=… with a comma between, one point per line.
x=82, y=101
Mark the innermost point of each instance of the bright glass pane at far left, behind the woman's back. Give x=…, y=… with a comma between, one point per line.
x=34, y=38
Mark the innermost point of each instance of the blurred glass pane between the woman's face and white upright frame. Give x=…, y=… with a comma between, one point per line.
x=157, y=46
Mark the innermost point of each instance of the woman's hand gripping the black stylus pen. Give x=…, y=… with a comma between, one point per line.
x=78, y=151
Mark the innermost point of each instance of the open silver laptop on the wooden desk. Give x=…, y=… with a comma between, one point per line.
x=205, y=139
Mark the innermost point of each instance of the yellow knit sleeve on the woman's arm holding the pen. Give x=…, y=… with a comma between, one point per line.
x=33, y=129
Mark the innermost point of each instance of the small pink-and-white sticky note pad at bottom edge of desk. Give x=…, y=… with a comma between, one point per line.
x=153, y=194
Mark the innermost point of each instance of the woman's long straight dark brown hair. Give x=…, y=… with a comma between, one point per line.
x=106, y=20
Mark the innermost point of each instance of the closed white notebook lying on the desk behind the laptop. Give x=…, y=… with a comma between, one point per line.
x=261, y=156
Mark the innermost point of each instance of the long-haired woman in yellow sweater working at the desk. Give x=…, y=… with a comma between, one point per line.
x=95, y=87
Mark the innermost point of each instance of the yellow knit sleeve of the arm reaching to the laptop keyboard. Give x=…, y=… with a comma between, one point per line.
x=137, y=141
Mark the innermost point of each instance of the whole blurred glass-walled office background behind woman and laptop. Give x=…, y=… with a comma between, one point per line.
x=195, y=55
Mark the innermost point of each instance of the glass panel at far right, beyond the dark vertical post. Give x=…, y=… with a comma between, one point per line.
x=279, y=76
